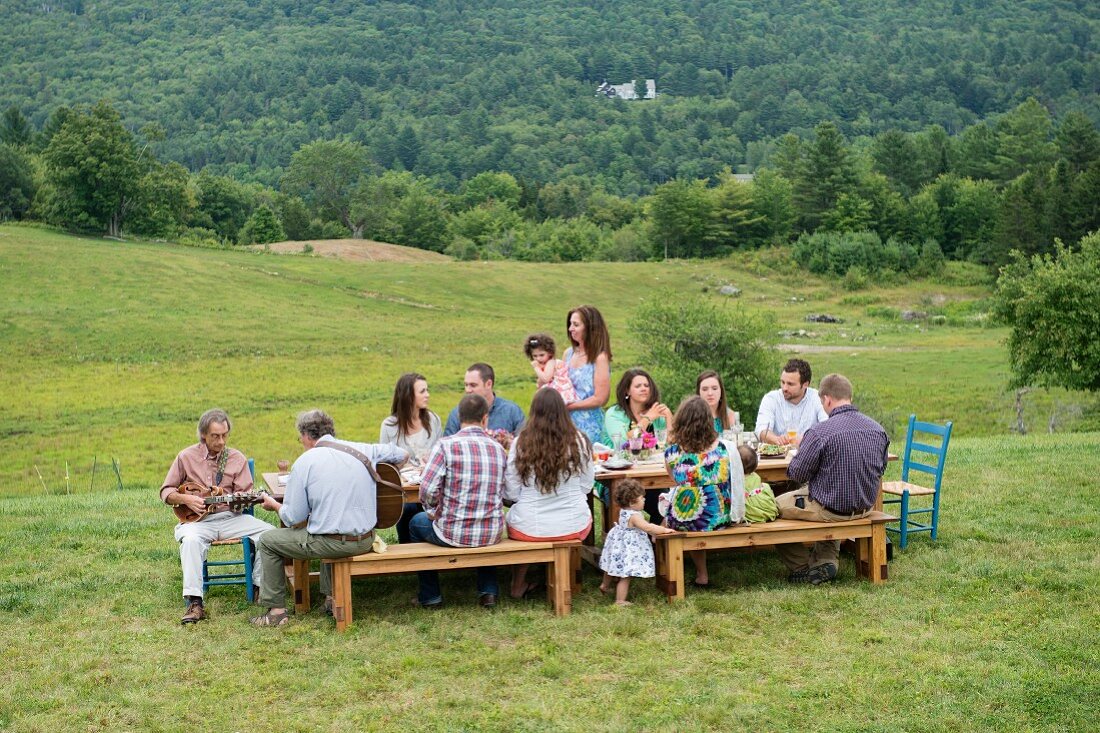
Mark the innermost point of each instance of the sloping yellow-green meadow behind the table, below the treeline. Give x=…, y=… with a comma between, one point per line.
x=112, y=351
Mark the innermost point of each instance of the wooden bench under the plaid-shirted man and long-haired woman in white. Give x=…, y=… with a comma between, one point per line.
x=563, y=560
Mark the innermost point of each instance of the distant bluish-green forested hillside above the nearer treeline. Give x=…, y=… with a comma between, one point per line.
x=449, y=89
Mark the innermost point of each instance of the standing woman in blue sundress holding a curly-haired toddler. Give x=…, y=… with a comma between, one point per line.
x=590, y=369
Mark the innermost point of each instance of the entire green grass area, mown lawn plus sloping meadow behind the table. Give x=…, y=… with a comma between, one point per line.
x=112, y=351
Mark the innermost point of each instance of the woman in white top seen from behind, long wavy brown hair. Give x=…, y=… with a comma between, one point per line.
x=549, y=476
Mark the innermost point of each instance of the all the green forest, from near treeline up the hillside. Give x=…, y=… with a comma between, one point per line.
x=881, y=138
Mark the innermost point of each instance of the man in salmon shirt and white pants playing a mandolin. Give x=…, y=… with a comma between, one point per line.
x=201, y=473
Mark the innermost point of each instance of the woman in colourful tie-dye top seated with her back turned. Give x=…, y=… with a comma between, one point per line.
x=706, y=473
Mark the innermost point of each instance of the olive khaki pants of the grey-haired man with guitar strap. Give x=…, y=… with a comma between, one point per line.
x=273, y=546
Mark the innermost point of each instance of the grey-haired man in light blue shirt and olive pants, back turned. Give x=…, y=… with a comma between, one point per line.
x=333, y=491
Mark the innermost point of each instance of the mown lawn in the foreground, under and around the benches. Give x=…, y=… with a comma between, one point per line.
x=995, y=627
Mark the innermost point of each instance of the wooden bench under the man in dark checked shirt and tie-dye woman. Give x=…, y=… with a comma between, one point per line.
x=868, y=533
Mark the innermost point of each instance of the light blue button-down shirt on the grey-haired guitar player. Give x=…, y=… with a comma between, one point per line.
x=334, y=490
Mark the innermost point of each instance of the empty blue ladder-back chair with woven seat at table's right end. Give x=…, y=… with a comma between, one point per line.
x=932, y=443
